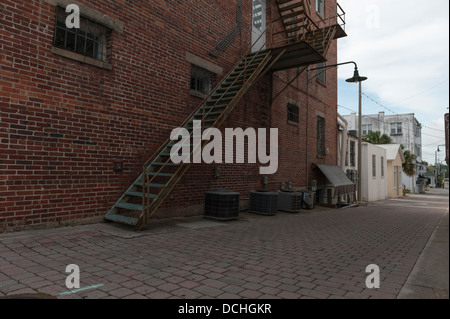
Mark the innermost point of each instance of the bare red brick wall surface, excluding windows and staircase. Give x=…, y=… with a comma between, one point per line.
x=64, y=123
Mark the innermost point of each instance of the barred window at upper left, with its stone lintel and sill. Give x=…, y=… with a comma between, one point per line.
x=90, y=40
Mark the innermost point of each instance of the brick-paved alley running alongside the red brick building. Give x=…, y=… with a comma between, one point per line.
x=322, y=254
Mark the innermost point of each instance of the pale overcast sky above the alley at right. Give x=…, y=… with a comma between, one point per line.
x=402, y=46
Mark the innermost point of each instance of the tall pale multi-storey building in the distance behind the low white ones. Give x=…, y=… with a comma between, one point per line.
x=404, y=129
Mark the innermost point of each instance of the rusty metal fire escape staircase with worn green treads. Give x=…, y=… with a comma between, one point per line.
x=304, y=44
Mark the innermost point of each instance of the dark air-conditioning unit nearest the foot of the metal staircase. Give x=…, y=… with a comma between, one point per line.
x=222, y=204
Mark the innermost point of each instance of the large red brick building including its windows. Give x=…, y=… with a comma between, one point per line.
x=82, y=110
